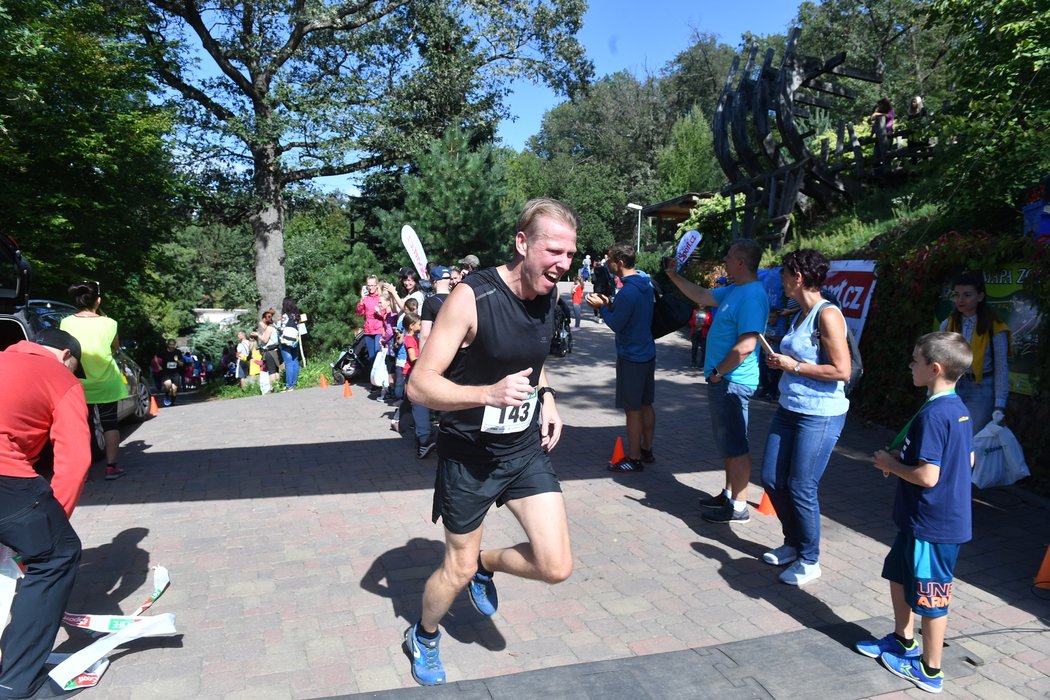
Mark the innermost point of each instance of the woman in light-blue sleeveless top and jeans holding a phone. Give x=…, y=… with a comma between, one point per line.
x=815, y=359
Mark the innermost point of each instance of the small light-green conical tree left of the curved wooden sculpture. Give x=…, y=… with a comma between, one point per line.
x=688, y=164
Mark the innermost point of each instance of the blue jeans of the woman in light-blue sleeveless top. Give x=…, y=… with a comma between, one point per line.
x=797, y=452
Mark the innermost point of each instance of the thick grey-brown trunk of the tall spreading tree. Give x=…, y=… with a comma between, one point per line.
x=268, y=227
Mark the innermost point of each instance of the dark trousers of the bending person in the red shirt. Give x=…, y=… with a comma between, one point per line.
x=34, y=525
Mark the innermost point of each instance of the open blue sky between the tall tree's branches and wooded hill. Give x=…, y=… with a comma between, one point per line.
x=642, y=37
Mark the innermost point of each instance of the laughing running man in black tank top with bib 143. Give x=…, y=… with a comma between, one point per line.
x=484, y=370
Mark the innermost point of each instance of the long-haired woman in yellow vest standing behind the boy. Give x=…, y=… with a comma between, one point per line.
x=986, y=387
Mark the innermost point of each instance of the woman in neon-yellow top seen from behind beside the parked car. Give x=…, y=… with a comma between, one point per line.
x=104, y=386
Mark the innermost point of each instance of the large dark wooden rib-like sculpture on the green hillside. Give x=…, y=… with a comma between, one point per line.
x=765, y=156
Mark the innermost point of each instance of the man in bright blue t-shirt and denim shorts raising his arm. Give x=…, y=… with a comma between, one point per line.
x=731, y=368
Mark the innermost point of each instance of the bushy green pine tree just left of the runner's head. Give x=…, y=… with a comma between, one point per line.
x=456, y=200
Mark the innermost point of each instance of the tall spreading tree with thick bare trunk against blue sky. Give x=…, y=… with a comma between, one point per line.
x=298, y=91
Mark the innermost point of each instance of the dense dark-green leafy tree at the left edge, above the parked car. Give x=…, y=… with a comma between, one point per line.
x=87, y=179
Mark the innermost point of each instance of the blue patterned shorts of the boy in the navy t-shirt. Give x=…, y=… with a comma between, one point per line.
x=927, y=571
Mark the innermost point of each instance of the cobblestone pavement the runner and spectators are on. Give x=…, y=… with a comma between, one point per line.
x=297, y=532
